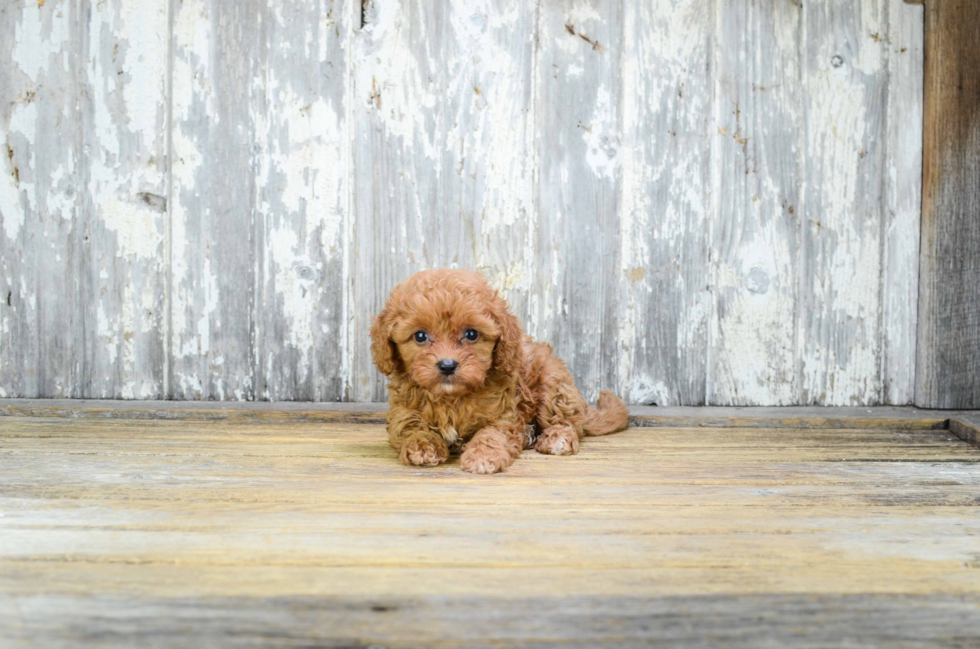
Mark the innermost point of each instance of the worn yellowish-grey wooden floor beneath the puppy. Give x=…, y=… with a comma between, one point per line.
x=150, y=533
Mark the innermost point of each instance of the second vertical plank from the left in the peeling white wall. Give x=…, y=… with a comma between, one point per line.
x=119, y=336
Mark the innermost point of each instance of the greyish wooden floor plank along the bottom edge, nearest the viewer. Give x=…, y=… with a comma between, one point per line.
x=736, y=621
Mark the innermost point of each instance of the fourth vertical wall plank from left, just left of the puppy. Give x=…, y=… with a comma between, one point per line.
x=301, y=184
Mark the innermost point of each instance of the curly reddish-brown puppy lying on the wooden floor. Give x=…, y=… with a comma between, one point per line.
x=465, y=376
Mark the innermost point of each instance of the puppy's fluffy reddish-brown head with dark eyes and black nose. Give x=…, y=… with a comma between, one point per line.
x=445, y=330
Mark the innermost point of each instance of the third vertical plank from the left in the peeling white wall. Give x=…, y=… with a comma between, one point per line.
x=213, y=198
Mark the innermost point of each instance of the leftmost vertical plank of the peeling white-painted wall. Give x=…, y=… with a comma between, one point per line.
x=39, y=165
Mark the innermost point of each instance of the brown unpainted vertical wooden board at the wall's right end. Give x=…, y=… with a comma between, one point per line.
x=948, y=361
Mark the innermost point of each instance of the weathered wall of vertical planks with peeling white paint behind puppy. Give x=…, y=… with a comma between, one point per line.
x=696, y=201
